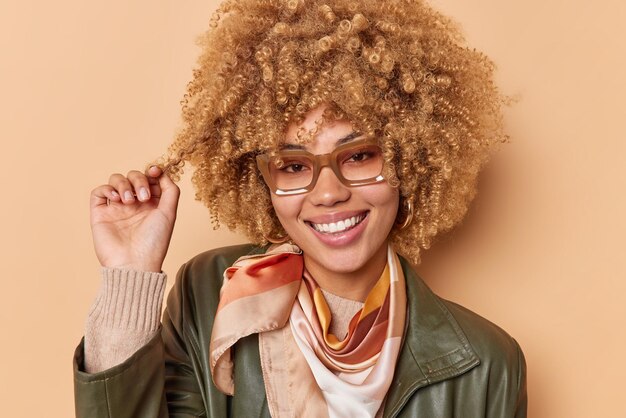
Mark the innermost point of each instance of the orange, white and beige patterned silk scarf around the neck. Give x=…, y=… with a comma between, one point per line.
x=307, y=371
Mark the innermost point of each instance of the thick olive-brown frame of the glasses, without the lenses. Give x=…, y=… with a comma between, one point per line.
x=319, y=161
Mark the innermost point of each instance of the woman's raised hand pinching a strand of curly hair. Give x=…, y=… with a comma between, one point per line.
x=132, y=219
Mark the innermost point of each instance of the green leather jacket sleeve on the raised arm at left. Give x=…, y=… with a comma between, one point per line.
x=164, y=378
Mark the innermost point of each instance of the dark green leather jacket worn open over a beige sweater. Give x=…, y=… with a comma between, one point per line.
x=453, y=363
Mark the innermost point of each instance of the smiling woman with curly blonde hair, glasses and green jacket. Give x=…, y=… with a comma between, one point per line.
x=349, y=135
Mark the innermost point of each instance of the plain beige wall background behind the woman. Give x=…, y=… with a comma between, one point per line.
x=91, y=88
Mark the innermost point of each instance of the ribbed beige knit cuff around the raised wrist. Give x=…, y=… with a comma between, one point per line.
x=129, y=299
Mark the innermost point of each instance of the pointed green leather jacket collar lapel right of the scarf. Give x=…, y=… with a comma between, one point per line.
x=435, y=348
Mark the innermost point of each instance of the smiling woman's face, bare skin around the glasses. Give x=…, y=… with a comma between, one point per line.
x=373, y=207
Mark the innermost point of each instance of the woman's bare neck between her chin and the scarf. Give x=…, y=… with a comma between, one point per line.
x=354, y=285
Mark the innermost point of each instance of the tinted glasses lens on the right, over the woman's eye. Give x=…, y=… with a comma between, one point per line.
x=361, y=162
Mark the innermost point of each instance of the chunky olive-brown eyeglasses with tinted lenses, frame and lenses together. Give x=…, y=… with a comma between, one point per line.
x=292, y=172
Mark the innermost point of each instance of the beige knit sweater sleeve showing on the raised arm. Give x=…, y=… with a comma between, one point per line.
x=124, y=317
